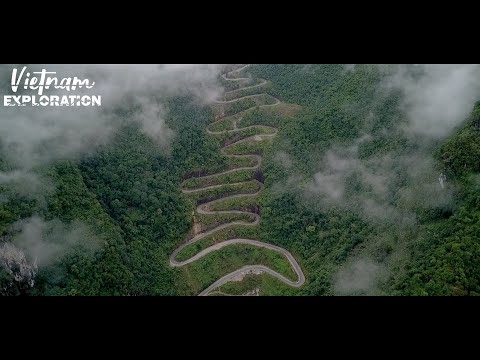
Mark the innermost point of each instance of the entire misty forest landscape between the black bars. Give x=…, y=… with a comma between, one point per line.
x=367, y=175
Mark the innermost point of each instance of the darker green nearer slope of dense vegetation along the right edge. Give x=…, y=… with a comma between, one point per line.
x=446, y=257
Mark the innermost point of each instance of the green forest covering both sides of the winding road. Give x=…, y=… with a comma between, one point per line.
x=393, y=230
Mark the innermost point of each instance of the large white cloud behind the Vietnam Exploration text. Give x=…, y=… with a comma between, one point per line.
x=34, y=136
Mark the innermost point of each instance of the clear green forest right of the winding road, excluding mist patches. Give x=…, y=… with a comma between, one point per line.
x=438, y=255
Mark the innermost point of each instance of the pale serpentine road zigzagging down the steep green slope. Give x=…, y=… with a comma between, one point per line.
x=256, y=133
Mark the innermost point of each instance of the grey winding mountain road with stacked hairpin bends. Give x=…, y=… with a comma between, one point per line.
x=201, y=209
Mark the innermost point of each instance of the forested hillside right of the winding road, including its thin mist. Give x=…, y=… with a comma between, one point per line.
x=423, y=240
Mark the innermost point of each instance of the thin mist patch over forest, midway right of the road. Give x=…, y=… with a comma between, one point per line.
x=384, y=188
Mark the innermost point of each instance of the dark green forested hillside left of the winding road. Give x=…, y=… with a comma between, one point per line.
x=127, y=195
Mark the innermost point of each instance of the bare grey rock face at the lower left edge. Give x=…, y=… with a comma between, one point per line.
x=14, y=262
